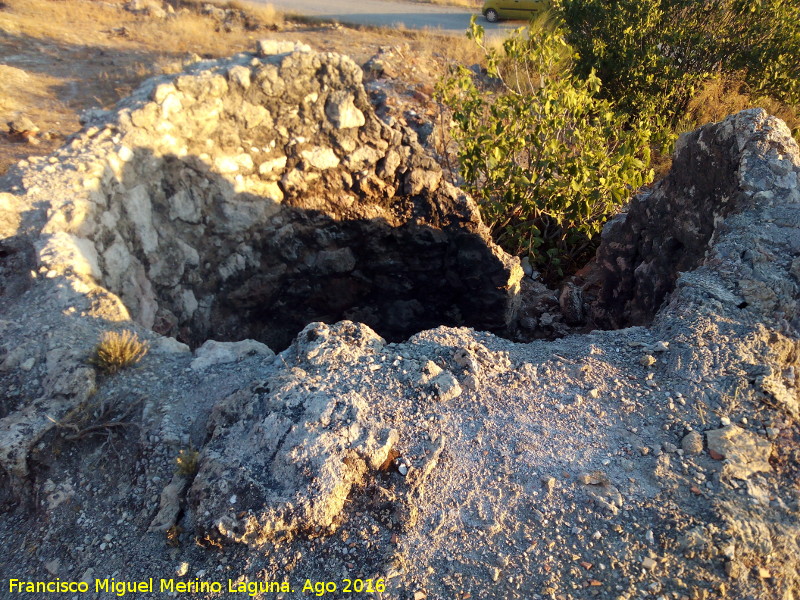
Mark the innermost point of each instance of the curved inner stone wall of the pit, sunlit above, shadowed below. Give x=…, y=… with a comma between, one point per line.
x=249, y=197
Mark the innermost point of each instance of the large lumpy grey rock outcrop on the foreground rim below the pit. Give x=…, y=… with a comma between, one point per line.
x=291, y=455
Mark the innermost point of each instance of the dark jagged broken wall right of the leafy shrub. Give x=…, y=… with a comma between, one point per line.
x=719, y=169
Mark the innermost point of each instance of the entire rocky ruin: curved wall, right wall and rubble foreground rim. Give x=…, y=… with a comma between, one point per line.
x=615, y=464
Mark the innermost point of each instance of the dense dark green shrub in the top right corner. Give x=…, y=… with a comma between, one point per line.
x=654, y=55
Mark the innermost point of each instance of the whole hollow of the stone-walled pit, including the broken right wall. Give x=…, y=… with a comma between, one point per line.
x=247, y=197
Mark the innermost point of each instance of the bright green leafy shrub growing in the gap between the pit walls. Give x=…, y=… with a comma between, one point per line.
x=546, y=159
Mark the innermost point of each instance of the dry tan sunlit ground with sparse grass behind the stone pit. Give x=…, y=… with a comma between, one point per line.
x=89, y=54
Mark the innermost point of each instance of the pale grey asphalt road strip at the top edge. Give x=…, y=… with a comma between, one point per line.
x=412, y=15
